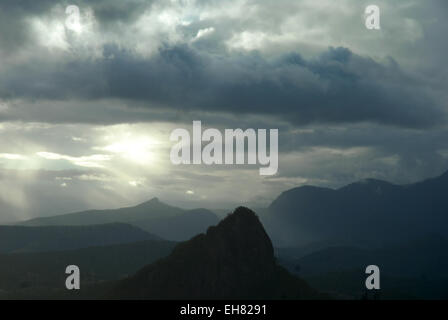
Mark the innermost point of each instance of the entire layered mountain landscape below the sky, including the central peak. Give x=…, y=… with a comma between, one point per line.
x=325, y=236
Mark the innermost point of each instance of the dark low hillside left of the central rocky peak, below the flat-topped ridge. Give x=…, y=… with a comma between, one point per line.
x=35, y=275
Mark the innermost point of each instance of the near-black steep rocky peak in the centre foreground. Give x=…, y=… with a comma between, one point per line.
x=233, y=260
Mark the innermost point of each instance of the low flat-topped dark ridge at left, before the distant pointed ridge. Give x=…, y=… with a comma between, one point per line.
x=15, y=239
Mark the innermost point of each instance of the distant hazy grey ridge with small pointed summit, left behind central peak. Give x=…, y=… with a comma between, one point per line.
x=154, y=216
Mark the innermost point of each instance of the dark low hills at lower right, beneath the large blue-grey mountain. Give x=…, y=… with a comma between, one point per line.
x=413, y=270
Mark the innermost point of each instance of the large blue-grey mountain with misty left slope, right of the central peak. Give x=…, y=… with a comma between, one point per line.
x=366, y=212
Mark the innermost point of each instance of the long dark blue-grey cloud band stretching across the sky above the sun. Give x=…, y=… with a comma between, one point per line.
x=336, y=87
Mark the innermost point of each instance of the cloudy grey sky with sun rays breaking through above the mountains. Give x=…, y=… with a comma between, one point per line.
x=86, y=110
